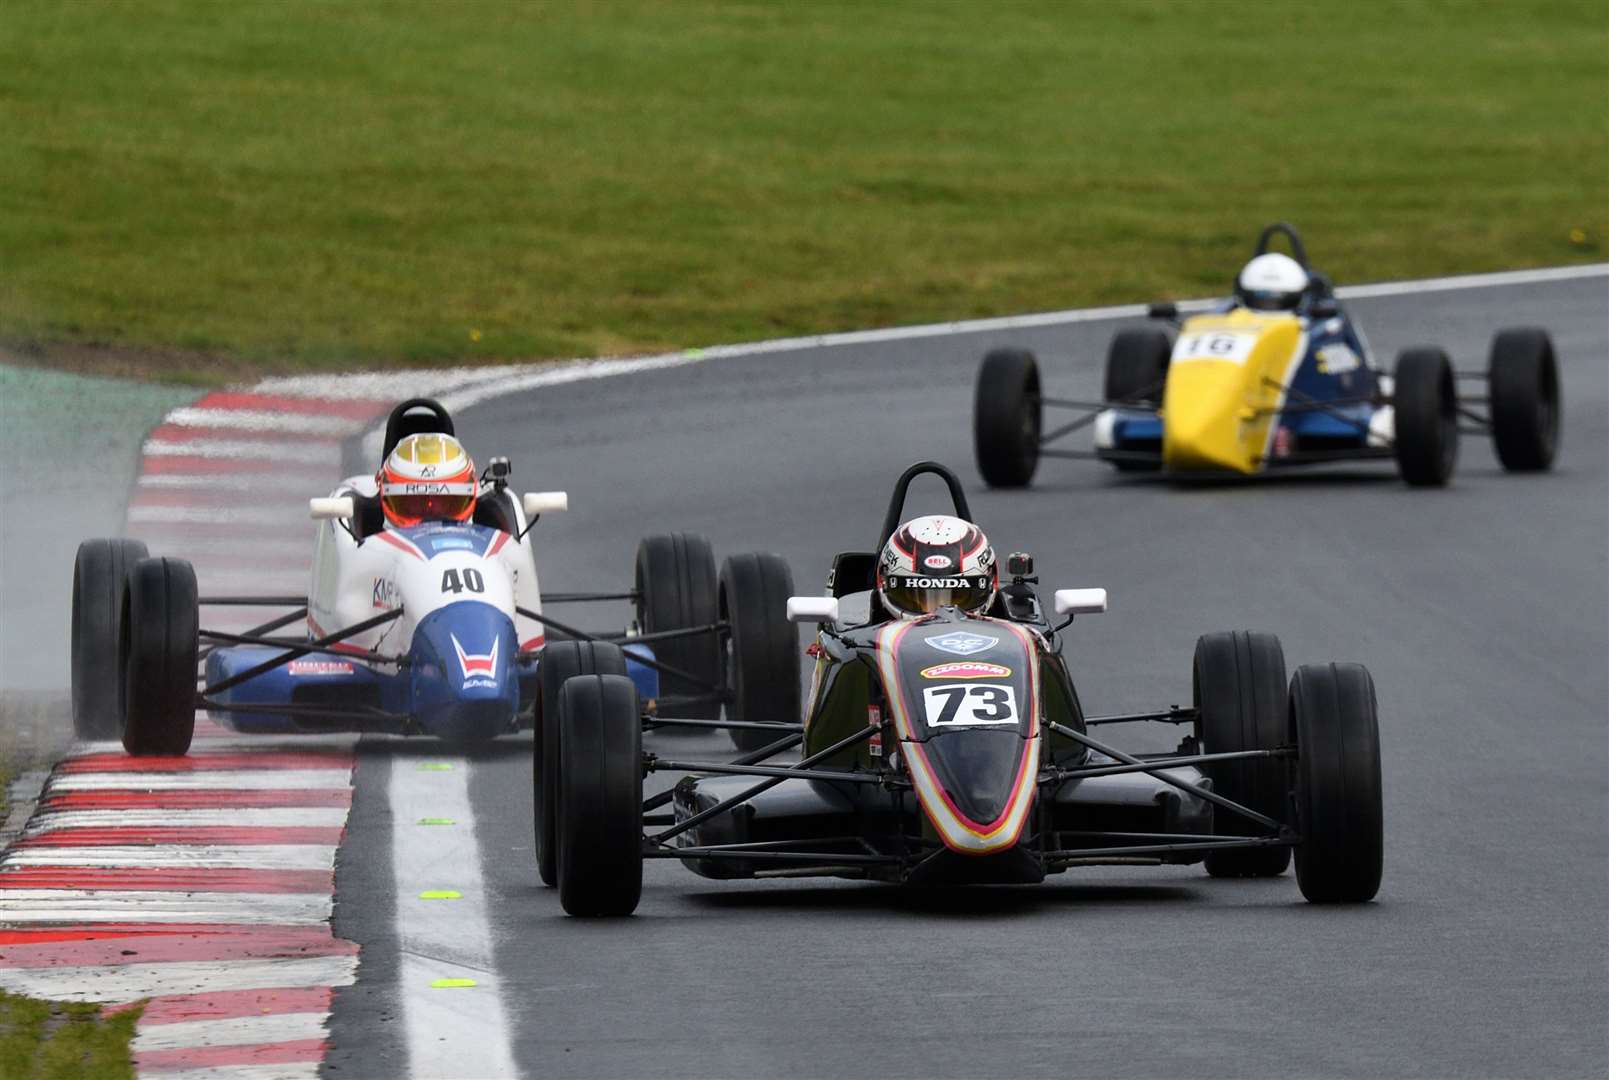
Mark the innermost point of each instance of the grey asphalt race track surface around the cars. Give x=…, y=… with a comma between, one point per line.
x=1483, y=612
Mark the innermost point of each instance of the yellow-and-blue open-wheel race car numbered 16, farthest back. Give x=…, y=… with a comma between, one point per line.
x=1274, y=377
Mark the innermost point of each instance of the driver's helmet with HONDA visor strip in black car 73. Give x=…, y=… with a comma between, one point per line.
x=937, y=563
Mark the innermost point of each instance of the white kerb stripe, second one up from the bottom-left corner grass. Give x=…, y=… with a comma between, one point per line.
x=91, y=905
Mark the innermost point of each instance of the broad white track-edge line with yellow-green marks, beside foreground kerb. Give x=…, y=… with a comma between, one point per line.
x=450, y=1033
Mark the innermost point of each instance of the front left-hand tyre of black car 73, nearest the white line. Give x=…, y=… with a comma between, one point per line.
x=599, y=796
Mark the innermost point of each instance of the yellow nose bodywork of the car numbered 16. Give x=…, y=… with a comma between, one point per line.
x=1225, y=381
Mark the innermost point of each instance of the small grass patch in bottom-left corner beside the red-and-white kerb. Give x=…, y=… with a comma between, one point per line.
x=52, y=1041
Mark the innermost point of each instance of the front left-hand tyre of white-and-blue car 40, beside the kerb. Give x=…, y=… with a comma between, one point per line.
x=157, y=657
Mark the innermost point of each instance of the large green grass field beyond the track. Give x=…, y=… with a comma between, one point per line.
x=308, y=186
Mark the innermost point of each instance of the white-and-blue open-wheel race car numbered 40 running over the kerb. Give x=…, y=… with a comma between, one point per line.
x=424, y=616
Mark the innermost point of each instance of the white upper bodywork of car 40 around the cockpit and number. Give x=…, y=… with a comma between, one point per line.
x=355, y=582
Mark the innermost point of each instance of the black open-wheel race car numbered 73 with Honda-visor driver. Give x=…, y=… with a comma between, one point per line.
x=945, y=743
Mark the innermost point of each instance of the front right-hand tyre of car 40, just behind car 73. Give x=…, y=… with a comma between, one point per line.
x=763, y=654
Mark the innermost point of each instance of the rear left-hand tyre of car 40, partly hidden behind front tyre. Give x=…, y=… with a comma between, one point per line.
x=101, y=574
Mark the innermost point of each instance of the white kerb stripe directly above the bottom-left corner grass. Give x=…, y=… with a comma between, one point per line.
x=126, y=983
